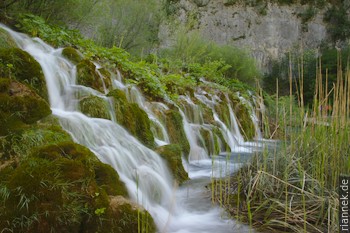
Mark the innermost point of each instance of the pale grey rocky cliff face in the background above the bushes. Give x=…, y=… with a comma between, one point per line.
x=267, y=29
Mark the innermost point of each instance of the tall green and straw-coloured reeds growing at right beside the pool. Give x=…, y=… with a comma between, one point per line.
x=294, y=187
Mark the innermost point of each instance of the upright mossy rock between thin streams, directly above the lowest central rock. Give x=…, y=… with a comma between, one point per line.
x=176, y=131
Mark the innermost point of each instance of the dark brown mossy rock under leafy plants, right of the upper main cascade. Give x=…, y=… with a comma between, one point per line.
x=88, y=75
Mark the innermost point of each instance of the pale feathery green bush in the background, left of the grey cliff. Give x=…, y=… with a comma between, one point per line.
x=132, y=25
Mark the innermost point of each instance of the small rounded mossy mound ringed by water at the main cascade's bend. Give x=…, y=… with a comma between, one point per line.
x=94, y=106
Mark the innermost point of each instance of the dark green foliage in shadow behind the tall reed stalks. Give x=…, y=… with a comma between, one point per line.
x=309, y=60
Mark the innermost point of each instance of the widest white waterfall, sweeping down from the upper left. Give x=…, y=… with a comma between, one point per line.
x=145, y=174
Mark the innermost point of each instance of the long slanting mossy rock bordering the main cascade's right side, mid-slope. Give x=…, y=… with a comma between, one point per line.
x=133, y=118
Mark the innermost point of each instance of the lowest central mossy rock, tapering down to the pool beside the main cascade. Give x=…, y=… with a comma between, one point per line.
x=172, y=154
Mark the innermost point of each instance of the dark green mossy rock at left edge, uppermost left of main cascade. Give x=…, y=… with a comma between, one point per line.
x=20, y=65
